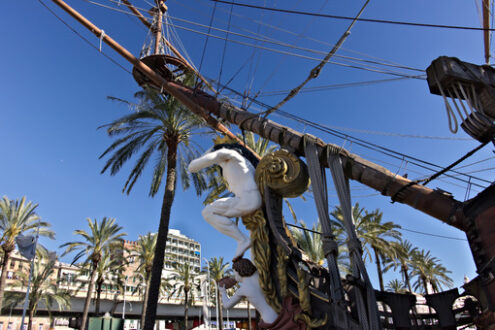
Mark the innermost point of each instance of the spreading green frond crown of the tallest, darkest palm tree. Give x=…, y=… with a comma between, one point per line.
x=158, y=123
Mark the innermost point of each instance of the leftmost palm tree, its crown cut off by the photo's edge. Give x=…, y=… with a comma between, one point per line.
x=17, y=217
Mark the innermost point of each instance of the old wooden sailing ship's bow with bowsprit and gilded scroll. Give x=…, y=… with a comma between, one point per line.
x=317, y=296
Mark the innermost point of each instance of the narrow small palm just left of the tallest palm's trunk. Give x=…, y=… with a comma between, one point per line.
x=145, y=253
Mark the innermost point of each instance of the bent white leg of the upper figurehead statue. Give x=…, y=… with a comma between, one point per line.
x=214, y=215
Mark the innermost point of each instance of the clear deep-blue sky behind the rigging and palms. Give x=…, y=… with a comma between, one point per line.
x=54, y=88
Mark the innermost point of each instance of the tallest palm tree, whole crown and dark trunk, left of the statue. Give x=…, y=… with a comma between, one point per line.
x=161, y=129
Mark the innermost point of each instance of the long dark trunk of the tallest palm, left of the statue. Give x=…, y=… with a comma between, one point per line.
x=161, y=242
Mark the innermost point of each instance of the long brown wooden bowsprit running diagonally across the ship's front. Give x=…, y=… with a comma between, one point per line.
x=426, y=200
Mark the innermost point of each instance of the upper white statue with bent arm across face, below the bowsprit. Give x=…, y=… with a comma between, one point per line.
x=238, y=167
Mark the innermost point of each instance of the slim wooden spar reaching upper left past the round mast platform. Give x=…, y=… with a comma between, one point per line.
x=169, y=87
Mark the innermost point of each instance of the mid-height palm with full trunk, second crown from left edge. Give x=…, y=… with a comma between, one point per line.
x=103, y=235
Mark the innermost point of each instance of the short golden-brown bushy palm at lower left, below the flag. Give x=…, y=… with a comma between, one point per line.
x=43, y=288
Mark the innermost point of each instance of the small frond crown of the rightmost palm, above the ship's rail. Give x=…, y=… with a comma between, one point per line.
x=429, y=271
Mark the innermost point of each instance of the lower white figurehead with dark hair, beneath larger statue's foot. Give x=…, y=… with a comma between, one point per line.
x=247, y=277
